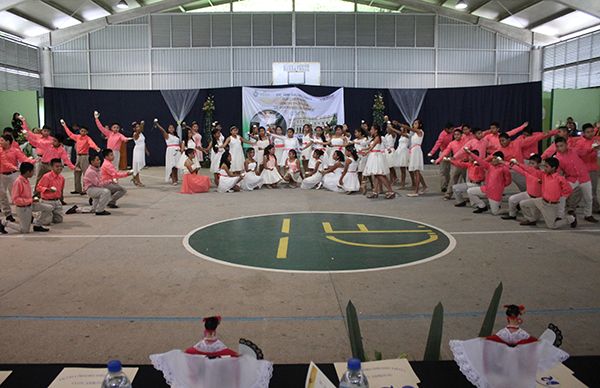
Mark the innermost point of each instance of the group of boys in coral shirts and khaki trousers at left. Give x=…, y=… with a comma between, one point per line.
x=95, y=176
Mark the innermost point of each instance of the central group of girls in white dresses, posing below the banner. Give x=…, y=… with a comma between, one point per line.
x=335, y=161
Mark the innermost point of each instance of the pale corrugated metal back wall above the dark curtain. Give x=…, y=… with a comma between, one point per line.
x=237, y=49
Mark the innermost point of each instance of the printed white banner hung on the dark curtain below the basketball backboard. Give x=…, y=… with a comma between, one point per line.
x=290, y=108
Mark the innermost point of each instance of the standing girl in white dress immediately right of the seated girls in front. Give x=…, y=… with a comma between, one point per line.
x=376, y=166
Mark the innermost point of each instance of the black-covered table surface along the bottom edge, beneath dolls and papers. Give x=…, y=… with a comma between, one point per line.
x=432, y=374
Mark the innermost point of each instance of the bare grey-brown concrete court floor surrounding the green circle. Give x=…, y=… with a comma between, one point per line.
x=123, y=286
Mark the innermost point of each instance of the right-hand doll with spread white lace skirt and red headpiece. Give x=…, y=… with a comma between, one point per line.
x=509, y=359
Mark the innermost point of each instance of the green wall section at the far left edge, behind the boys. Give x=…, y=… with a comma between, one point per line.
x=24, y=102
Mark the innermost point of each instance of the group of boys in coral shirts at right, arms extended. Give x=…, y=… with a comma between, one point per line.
x=477, y=165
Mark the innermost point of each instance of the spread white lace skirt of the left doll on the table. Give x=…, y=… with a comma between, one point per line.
x=182, y=370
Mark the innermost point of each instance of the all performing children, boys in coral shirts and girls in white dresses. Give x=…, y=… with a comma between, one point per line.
x=475, y=165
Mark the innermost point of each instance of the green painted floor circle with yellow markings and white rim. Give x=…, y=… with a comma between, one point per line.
x=319, y=242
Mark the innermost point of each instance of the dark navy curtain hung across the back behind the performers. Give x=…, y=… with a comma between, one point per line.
x=510, y=105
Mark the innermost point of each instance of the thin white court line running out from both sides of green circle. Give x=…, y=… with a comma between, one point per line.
x=183, y=235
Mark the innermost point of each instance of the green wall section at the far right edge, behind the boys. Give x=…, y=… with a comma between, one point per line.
x=581, y=104
